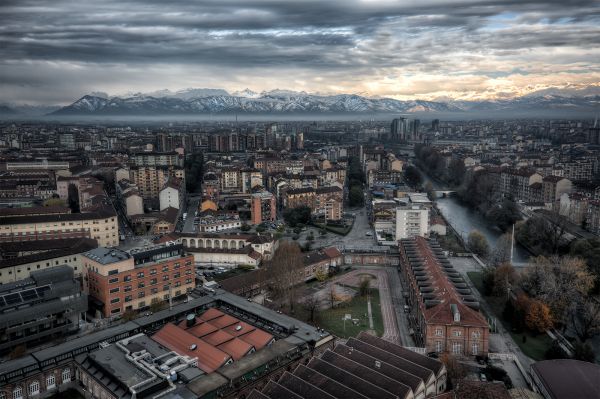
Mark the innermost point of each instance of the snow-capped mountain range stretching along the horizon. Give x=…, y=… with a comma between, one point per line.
x=203, y=101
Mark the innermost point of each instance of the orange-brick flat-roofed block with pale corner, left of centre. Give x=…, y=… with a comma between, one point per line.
x=120, y=281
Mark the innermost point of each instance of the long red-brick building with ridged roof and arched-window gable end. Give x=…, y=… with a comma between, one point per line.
x=443, y=311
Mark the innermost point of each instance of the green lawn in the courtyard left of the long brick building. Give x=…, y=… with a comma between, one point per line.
x=331, y=319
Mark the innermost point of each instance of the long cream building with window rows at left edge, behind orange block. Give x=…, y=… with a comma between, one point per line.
x=101, y=225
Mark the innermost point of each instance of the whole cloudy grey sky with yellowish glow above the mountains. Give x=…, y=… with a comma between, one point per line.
x=56, y=51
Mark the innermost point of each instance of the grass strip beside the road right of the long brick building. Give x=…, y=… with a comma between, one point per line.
x=536, y=345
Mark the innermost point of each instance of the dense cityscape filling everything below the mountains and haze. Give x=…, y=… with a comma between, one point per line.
x=209, y=259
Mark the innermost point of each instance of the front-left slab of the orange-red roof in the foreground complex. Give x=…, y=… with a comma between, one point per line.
x=184, y=343
